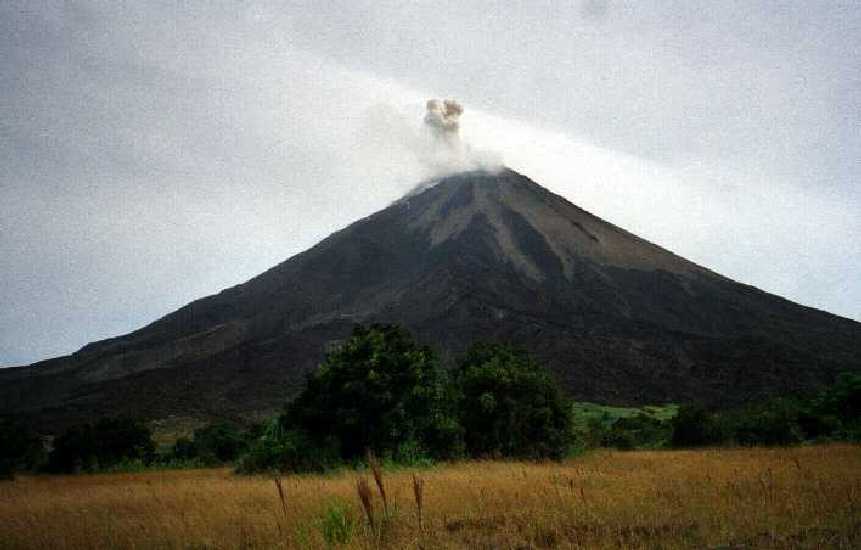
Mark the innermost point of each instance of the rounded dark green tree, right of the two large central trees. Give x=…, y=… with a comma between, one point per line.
x=511, y=406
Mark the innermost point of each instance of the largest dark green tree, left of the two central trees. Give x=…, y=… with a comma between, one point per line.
x=379, y=391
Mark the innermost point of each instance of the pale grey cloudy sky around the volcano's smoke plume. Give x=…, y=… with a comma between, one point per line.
x=152, y=153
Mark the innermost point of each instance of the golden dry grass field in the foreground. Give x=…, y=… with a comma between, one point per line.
x=806, y=497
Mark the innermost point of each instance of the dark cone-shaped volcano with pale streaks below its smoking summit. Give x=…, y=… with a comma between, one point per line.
x=477, y=256
